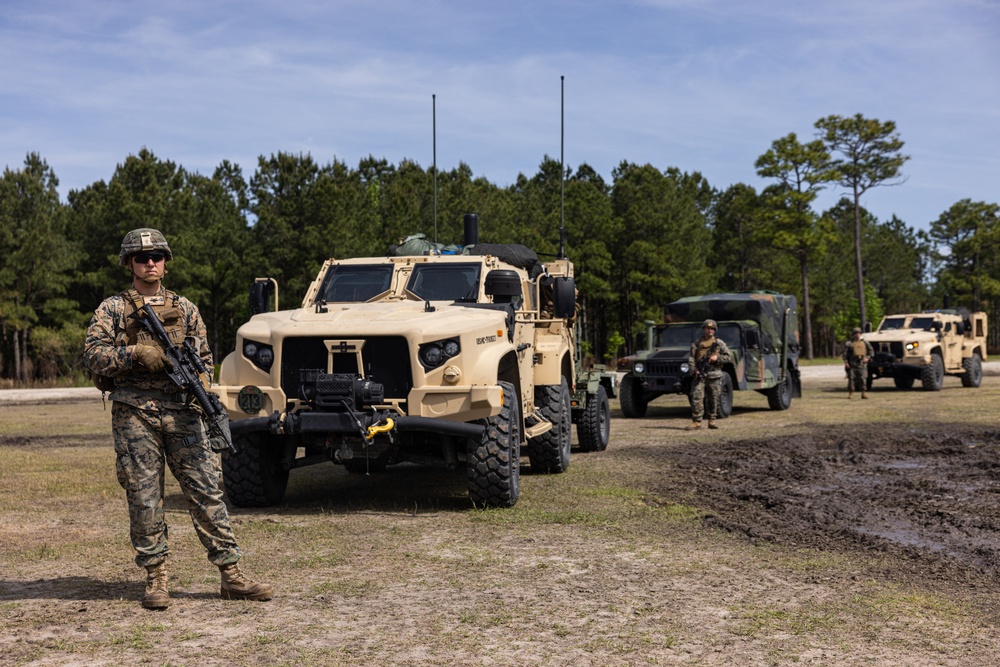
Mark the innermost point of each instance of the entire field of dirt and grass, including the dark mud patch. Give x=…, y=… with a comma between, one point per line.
x=834, y=533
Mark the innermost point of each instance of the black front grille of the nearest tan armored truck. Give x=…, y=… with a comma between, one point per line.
x=386, y=360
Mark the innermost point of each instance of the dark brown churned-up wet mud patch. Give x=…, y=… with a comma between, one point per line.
x=930, y=497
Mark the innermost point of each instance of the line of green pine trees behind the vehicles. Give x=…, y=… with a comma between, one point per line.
x=647, y=237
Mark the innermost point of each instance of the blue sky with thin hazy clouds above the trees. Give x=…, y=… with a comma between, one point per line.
x=702, y=85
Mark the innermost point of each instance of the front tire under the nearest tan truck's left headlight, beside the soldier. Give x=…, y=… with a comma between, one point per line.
x=253, y=476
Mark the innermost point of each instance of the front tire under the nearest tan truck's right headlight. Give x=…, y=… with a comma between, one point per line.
x=494, y=462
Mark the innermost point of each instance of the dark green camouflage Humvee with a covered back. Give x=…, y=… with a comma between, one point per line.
x=760, y=329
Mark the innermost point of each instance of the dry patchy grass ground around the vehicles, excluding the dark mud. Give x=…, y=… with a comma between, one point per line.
x=592, y=567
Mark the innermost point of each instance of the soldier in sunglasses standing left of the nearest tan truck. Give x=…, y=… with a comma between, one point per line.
x=153, y=423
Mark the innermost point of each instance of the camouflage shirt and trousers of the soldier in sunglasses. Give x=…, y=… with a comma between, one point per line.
x=153, y=424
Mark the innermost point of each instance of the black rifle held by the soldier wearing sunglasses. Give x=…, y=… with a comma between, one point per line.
x=185, y=366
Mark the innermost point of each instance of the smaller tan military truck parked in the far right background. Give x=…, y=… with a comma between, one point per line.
x=927, y=346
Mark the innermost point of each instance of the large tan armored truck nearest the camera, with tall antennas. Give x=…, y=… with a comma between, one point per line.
x=449, y=359
